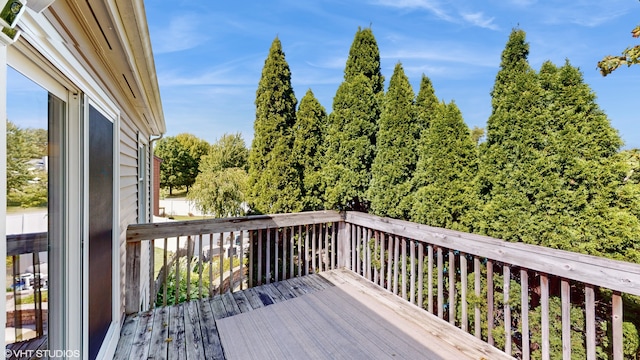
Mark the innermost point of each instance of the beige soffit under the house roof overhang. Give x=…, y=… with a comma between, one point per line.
x=112, y=41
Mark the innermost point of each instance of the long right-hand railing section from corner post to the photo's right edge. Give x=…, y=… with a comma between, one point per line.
x=447, y=272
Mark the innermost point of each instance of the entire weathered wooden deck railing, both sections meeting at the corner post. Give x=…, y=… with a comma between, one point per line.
x=530, y=301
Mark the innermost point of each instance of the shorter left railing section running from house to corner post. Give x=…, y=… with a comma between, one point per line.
x=262, y=249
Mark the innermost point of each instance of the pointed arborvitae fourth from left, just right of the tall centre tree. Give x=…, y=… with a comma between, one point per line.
x=396, y=143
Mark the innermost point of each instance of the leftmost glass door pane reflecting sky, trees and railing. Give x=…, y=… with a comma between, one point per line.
x=28, y=194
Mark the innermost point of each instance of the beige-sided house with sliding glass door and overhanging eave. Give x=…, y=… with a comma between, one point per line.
x=94, y=60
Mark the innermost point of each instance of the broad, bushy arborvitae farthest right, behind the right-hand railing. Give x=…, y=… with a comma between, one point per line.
x=584, y=203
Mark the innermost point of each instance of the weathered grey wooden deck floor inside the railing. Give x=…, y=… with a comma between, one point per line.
x=331, y=315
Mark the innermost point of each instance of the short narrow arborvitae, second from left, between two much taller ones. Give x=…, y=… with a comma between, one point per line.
x=308, y=148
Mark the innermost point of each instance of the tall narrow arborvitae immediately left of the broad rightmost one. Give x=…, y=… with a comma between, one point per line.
x=507, y=179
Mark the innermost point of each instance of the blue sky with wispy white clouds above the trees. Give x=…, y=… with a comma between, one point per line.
x=209, y=54
